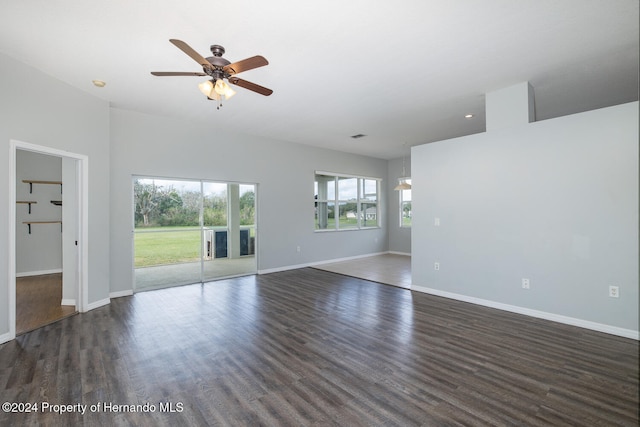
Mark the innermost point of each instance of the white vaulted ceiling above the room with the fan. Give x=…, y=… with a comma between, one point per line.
x=401, y=72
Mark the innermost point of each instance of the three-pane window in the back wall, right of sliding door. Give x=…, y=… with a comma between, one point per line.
x=345, y=202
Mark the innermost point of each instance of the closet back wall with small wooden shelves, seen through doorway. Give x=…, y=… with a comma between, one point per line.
x=41, y=251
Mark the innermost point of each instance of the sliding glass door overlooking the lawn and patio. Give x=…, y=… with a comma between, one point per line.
x=192, y=231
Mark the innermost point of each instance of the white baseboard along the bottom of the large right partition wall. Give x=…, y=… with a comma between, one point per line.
x=600, y=327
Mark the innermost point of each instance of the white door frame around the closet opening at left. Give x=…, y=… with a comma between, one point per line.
x=82, y=264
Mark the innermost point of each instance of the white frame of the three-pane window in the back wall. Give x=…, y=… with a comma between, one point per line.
x=362, y=201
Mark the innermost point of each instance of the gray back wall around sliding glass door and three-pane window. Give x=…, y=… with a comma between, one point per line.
x=156, y=146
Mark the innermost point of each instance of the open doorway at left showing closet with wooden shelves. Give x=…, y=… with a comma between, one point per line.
x=47, y=235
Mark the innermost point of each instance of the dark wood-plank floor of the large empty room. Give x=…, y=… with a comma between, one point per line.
x=310, y=347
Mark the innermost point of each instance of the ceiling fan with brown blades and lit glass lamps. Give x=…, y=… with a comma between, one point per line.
x=219, y=69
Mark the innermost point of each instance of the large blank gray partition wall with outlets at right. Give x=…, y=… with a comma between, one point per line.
x=554, y=201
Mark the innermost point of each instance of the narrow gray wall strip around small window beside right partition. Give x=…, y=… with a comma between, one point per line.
x=399, y=238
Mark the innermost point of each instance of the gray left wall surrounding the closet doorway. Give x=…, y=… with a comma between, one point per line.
x=55, y=115
